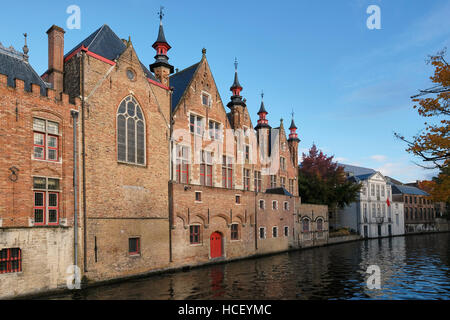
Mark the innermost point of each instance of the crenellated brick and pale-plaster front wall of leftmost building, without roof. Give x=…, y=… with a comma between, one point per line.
x=46, y=250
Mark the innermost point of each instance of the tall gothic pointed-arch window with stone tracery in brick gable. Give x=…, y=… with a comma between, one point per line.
x=130, y=132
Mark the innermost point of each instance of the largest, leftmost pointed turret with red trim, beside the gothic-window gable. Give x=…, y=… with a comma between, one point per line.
x=161, y=66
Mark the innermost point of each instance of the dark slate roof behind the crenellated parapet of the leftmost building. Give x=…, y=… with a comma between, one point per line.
x=13, y=64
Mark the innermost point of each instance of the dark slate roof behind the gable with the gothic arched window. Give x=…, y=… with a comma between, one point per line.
x=107, y=44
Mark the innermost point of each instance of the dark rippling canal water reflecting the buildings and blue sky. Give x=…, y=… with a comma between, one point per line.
x=412, y=267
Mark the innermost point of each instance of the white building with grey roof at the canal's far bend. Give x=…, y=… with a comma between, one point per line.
x=374, y=214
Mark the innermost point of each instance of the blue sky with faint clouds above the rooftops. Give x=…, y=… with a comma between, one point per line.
x=349, y=86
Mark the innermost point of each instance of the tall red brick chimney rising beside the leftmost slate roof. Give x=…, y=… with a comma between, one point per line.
x=56, y=58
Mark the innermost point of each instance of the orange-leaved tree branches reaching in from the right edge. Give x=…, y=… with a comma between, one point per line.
x=432, y=144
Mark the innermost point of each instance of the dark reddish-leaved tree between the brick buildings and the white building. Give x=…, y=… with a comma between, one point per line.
x=323, y=181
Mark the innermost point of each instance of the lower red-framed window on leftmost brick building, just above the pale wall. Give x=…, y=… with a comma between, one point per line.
x=46, y=201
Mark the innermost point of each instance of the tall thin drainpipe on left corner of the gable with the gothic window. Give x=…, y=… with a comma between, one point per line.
x=83, y=153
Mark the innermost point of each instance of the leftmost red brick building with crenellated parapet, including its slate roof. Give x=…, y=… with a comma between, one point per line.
x=36, y=177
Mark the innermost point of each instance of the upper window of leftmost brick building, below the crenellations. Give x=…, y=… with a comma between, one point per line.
x=46, y=140
